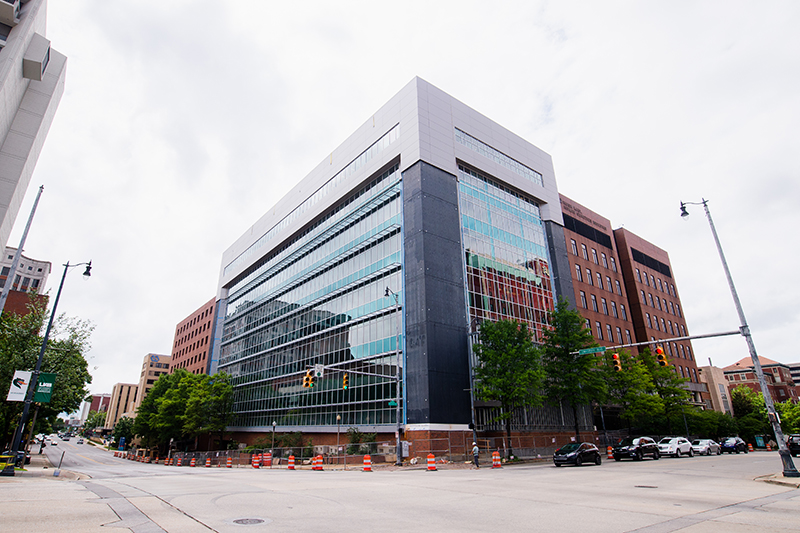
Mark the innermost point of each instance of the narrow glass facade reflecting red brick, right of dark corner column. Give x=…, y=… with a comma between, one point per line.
x=507, y=263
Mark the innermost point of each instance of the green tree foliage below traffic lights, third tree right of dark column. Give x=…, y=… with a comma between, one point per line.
x=631, y=388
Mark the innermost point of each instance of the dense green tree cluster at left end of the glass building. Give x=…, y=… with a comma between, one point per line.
x=182, y=405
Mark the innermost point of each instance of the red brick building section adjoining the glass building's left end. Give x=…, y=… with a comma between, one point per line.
x=193, y=337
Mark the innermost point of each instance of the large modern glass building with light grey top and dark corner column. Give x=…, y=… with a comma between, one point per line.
x=428, y=201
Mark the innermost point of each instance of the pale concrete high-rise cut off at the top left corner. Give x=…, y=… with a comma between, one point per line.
x=32, y=78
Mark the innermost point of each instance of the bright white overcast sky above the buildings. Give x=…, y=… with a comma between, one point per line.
x=185, y=121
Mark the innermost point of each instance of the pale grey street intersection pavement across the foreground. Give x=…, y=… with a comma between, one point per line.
x=717, y=493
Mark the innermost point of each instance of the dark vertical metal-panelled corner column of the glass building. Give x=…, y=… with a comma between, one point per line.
x=437, y=371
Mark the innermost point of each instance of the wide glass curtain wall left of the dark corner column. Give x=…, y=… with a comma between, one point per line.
x=319, y=299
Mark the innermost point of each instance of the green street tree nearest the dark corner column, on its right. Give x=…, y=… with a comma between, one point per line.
x=508, y=369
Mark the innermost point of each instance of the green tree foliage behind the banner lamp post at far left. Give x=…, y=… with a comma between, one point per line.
x=20, y=343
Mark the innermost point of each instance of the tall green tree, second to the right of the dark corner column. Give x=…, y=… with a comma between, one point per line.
x=571, y=377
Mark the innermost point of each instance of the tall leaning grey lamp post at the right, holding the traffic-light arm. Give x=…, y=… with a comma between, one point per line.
x=789, y=469
